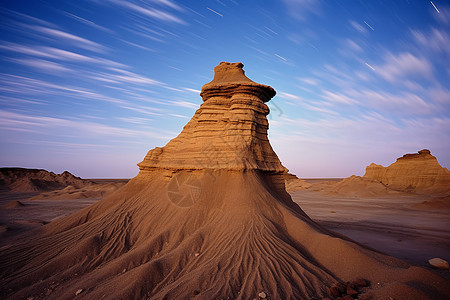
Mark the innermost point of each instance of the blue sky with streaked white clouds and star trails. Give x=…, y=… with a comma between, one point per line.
x=90, y=86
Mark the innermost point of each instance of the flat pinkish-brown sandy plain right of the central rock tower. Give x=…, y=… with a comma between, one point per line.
x=387, y=223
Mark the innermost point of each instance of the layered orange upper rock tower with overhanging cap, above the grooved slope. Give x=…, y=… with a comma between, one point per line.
x=228, y=131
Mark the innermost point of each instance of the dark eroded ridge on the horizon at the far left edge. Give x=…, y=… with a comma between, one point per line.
x=20, y=180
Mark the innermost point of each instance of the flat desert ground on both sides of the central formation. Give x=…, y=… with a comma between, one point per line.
x=394, y=224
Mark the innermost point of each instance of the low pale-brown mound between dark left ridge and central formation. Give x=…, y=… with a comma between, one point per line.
x=92, y=190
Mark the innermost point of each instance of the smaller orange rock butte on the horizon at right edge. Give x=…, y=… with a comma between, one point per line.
x=418, y=173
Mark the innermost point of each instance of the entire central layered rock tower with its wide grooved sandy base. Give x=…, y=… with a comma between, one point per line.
x=207, y=217
